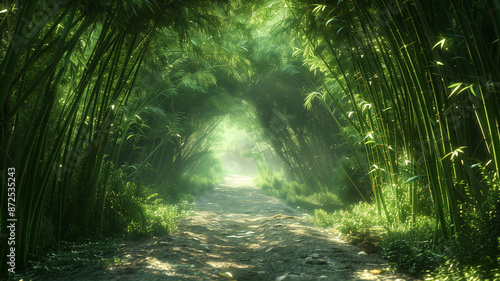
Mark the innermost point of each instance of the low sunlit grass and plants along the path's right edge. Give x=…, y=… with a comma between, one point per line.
x=407, y=243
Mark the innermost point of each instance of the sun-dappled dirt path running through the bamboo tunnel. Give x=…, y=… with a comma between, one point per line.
x=237, y=230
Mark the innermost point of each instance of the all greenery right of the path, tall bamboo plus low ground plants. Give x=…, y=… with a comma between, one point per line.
x=413, y=129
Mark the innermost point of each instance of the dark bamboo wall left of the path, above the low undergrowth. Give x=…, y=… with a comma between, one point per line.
x=71, y=114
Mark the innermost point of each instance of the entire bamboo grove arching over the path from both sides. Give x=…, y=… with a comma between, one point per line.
x=389, y=101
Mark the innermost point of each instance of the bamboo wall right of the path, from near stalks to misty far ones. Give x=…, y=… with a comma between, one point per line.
x=411, y=99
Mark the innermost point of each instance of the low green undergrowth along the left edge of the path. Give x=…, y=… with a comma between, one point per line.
x=133, y=211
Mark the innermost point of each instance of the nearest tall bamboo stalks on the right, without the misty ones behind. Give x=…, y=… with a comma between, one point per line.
x=417, y=82
